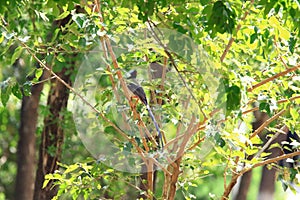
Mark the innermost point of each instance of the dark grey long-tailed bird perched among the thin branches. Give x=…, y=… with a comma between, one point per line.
x=138, y=91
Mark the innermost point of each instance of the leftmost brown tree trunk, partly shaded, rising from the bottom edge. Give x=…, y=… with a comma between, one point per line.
x=26, y=146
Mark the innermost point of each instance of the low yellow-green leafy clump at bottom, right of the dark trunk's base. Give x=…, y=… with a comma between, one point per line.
x=89, y=180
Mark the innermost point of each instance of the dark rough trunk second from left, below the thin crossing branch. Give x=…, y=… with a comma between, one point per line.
x=52, y=137
